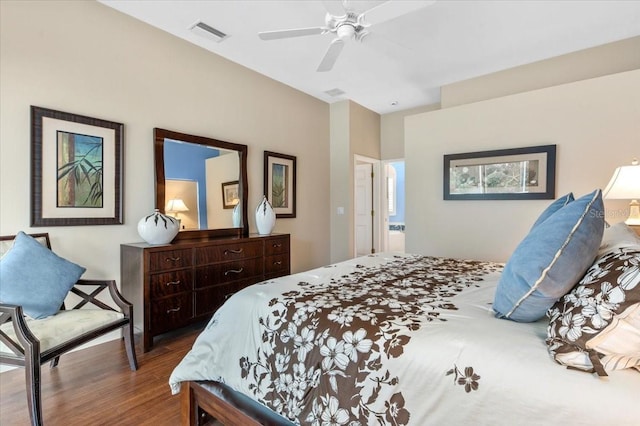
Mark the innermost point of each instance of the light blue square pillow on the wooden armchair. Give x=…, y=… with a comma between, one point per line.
x=34, y=277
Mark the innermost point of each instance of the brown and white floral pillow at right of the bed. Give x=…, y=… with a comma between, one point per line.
x=596, y=326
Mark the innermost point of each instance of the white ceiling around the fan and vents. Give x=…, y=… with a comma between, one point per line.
x=405, y=60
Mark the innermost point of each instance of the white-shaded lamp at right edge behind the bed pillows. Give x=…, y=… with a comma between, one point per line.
x=625, y=185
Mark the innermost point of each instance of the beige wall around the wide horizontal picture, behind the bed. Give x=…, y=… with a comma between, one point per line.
x=595, y=124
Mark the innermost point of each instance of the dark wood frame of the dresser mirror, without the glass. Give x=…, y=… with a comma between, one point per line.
x=159, y=136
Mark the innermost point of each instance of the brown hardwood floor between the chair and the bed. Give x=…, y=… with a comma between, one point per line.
x=95, y=386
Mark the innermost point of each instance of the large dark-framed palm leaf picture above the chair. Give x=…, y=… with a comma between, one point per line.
x=76, y=169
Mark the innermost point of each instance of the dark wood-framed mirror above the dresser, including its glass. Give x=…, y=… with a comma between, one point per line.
x=203, y=183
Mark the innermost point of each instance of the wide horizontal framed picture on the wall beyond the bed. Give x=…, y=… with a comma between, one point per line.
x=527, y=173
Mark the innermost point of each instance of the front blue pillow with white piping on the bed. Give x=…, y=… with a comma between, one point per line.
x=551, y=259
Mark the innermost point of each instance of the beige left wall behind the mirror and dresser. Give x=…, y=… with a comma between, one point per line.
x=85, y=58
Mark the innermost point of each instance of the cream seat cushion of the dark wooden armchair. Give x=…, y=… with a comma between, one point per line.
x=64, y=326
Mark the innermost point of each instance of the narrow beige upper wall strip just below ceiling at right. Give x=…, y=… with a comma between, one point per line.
x=611, y=58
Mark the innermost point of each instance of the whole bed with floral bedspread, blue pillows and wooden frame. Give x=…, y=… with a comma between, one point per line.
x=406, y=339
